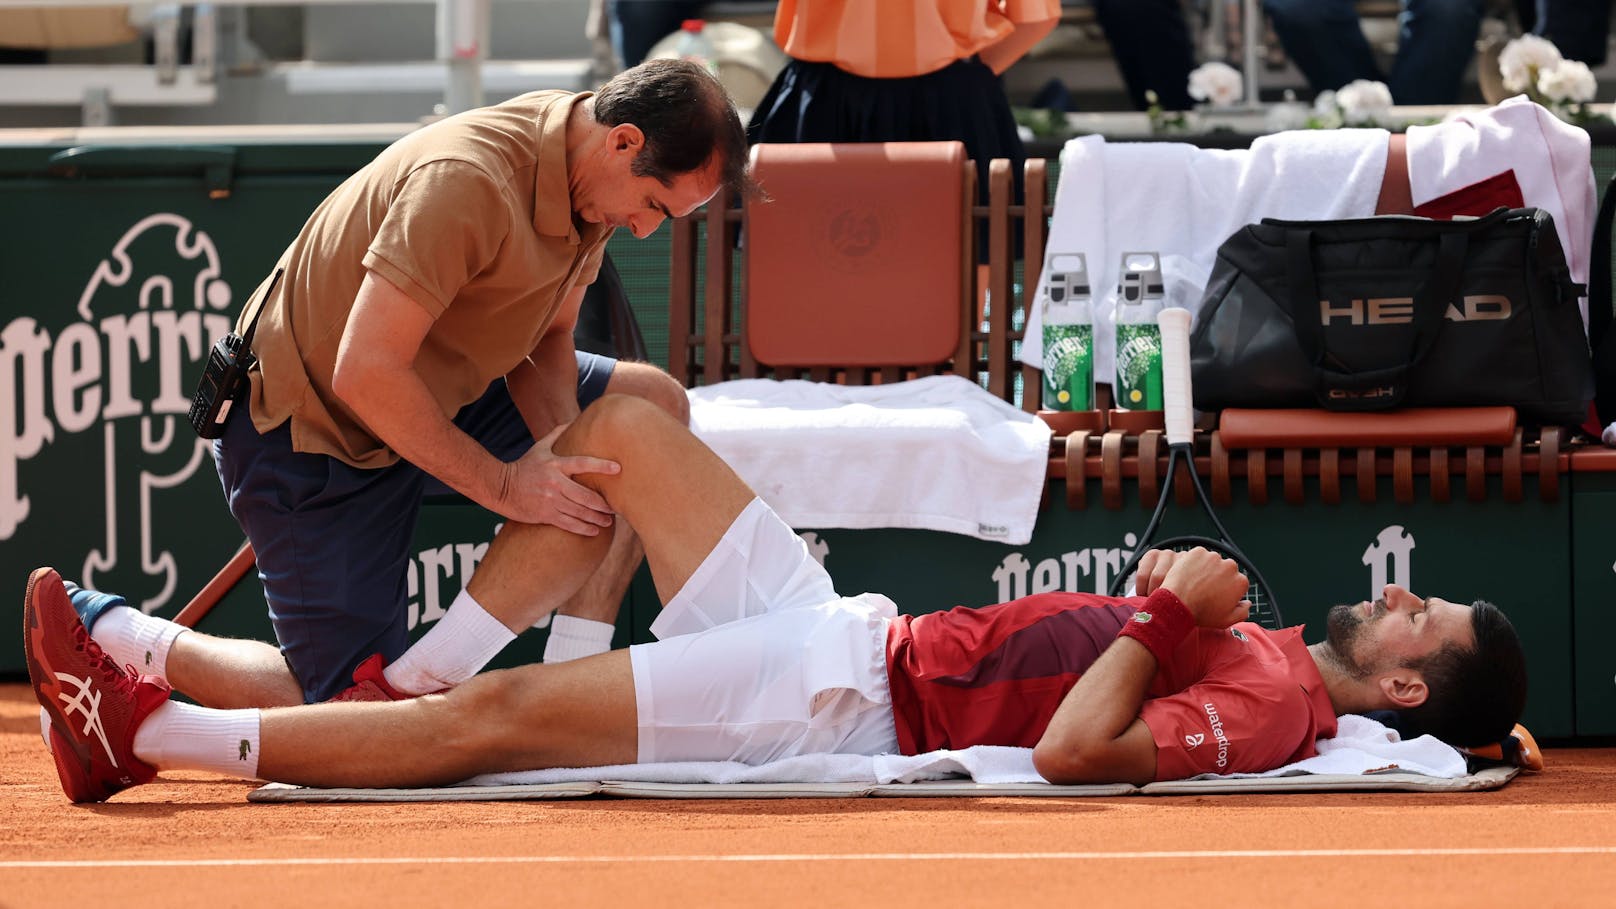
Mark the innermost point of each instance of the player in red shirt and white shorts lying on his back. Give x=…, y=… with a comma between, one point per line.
x=760, y=659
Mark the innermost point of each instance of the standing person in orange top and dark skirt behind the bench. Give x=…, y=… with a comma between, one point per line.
x=903, y=70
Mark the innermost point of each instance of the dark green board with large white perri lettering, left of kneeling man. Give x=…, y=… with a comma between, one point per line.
x=124, y=266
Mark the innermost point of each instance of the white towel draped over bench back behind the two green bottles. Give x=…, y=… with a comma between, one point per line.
x=1182, y=203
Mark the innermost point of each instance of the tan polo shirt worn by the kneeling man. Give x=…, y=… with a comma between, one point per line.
x=473, y=219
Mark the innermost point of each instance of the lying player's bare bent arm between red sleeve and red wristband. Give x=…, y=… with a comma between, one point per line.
x=1096, y=735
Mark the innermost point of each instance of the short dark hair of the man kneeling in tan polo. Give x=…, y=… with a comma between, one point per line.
x=686, y=117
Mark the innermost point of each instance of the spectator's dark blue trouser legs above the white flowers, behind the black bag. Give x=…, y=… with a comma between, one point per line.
x=1436, y=44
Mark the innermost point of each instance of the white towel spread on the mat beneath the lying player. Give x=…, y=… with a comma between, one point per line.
x=1360, y=746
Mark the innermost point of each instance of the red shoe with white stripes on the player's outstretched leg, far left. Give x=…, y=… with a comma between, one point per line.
x=95, y=706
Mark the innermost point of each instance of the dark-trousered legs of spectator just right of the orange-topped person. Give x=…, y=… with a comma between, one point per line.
x=1153, y=48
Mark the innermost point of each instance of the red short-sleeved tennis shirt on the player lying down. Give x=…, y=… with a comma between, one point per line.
x=1240, y=700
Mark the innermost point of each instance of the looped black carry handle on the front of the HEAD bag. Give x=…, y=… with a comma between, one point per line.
x=1371, y=389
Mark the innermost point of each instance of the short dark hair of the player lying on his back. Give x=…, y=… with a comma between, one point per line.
x=1476, y=696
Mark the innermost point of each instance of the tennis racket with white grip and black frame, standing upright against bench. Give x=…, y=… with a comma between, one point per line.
x=1180, y=450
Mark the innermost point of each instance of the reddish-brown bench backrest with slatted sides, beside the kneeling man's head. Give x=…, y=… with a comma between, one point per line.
x=861, y=323
